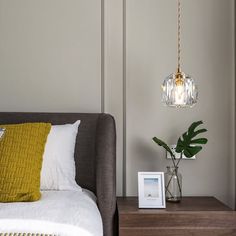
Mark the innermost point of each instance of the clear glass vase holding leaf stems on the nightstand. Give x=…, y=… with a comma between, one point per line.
x=173, y=184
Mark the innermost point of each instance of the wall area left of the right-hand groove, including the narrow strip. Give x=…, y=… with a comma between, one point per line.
x=52, y=59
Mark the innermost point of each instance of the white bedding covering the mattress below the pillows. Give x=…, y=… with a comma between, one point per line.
x=64, y=213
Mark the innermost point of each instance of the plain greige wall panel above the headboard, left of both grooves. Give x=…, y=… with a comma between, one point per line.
x=50, y=55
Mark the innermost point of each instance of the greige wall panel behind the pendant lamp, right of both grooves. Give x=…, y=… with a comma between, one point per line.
x=208, y=55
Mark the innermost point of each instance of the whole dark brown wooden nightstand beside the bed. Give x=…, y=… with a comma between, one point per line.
x=203, y=216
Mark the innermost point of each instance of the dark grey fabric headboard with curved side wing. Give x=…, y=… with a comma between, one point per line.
x=95, y=155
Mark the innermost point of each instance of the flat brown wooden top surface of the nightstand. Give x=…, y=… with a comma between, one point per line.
x=130, y=204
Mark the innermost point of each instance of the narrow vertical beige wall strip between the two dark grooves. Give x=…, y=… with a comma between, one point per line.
x=113, y=76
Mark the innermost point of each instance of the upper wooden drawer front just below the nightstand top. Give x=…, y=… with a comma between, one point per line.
x=179, y=220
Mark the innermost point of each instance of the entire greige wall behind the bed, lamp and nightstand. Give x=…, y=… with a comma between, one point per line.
x=112, y=56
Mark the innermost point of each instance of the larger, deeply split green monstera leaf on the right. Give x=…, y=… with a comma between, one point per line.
x=187, y=144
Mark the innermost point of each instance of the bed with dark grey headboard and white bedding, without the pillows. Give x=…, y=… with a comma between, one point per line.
x=95, y=160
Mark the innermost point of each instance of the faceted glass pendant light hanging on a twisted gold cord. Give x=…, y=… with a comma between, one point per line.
x=179, y=89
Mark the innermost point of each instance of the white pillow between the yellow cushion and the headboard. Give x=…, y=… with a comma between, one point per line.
x=58, y=168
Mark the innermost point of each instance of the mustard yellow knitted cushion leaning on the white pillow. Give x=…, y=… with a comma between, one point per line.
x=21, y=152
